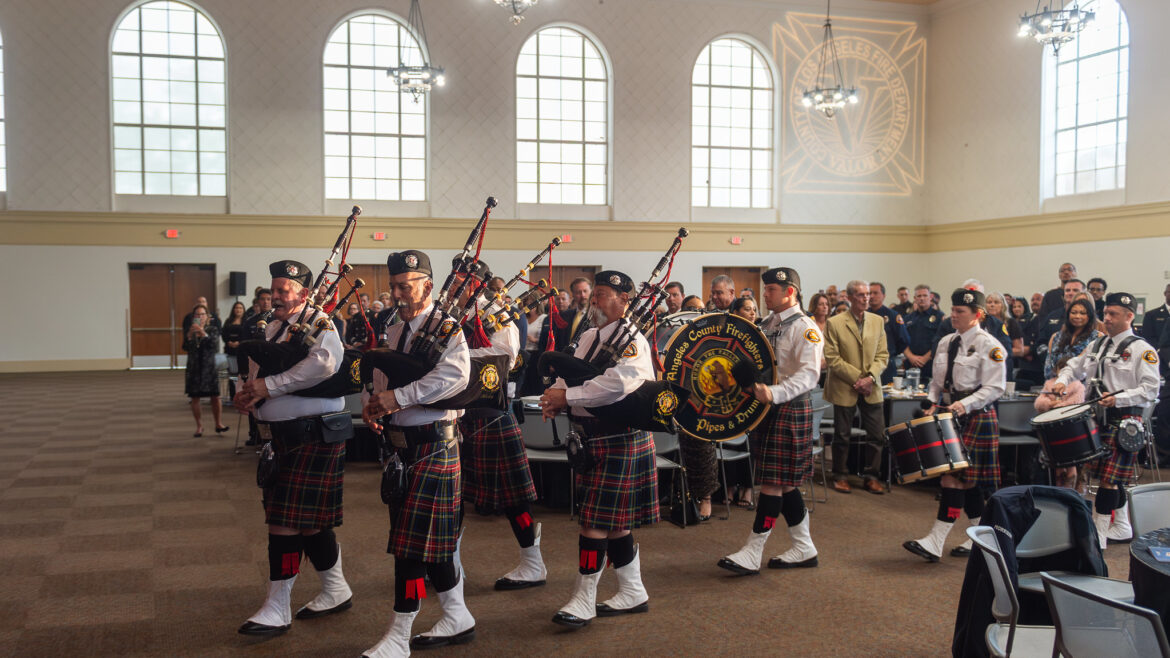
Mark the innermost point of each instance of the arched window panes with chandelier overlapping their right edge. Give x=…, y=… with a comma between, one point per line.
x=375, y=135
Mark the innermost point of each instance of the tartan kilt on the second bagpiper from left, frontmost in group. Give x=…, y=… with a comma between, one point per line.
x=426, y=525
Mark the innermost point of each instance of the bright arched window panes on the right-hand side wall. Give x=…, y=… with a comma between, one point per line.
x=1086, y=106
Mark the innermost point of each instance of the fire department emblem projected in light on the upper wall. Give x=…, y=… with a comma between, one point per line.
x=875, y=147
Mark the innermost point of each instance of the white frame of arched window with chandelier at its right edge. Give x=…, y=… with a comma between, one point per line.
x=383, y=208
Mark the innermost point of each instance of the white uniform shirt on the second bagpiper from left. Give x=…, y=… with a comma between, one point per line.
x=449, y=379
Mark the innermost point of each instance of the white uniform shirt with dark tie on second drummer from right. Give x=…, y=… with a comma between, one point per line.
x=979, y=365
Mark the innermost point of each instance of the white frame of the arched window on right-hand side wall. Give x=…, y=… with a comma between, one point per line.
x=1052, y=201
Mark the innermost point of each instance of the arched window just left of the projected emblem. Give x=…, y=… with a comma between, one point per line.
x=732, y=127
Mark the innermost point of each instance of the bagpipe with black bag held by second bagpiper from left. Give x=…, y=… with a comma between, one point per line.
x=439, y=327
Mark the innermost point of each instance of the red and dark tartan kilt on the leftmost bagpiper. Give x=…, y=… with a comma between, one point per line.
x=308, y=491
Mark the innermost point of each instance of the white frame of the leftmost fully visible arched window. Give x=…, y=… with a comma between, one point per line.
x=173, y=203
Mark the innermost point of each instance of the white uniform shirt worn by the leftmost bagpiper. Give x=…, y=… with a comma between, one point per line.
x=324, y=361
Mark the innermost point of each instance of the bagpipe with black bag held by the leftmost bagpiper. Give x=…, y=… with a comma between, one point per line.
x=276, y=358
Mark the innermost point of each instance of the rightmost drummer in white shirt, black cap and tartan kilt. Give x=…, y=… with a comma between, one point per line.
x=1126, y=368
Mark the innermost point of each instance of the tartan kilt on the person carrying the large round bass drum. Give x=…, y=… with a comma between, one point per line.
x=782, y=445
